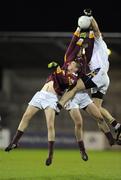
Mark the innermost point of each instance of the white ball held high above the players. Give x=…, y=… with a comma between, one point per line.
x=84, y=22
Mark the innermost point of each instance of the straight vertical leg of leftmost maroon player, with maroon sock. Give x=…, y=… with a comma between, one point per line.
x=50, y=117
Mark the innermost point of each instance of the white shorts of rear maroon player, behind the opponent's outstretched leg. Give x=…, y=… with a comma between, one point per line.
x=80, y=100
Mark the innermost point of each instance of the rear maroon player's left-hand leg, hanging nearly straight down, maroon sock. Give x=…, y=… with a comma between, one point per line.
x=78, y=121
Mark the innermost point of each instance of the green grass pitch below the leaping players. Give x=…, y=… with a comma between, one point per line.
x=67, y=165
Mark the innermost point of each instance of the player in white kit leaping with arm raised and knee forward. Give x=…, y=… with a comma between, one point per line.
x=98, y=79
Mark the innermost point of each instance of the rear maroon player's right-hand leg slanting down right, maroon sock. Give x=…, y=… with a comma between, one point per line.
x=95, y=113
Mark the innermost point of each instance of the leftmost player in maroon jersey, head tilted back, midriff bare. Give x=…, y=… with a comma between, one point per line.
x=61, y=79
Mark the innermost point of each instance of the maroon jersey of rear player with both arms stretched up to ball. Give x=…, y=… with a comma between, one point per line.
x=85, y=58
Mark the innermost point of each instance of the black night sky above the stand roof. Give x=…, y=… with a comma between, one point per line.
x=57, y=15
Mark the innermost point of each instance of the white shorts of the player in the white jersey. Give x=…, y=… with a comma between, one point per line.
x=102, y=81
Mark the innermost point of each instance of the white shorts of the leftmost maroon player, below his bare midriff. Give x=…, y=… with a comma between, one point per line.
x=43, y=99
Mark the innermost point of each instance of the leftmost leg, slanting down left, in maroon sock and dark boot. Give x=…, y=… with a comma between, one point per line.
x=27, y=116
